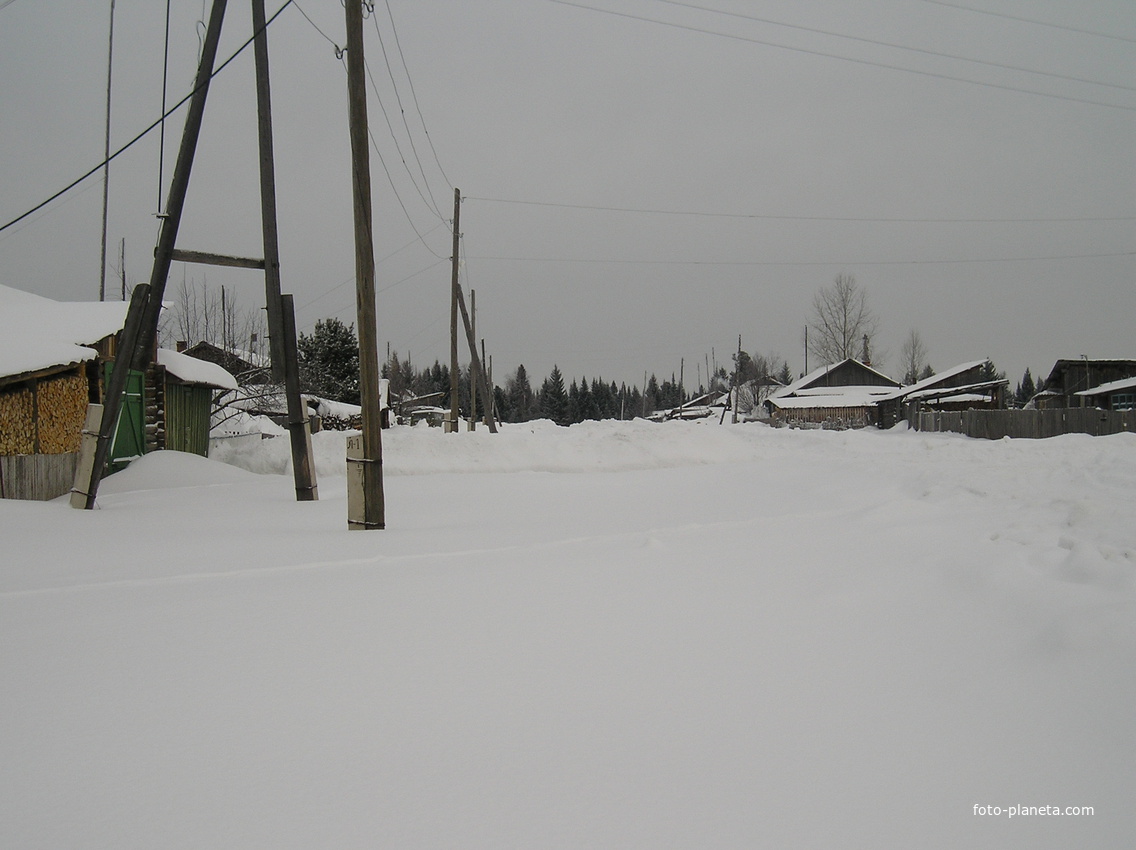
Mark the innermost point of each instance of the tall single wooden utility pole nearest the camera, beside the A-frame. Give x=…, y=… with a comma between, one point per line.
x=370, y=511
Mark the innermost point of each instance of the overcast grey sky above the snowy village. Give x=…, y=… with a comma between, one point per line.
x=645, y=180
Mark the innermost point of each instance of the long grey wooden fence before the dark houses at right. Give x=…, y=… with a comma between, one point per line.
x=1026, y=424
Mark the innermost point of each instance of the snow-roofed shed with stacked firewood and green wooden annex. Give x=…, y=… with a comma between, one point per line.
x=55, y=360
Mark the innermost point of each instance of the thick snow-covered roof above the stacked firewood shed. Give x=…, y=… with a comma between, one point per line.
x=38, y=334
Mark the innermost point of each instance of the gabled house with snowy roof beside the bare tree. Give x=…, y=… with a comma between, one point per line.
x=841, y=396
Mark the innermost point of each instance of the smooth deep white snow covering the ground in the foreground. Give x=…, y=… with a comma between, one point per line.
x=612, y=636
